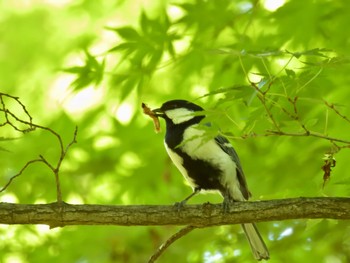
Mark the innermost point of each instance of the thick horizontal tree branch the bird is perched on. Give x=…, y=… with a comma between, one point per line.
x=62, y=214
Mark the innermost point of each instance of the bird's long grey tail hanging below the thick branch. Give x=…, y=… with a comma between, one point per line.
x=256, y=242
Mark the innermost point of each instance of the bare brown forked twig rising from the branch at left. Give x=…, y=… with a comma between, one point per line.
x=11, y=119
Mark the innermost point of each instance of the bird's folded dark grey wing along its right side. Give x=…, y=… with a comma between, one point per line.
x=226, y=146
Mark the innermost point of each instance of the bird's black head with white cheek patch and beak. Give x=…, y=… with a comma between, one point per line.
x=178, y=111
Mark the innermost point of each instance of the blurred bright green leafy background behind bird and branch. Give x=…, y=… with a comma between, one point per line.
x=91, y=64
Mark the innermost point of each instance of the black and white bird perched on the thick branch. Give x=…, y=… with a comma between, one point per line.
x=206, y=164
